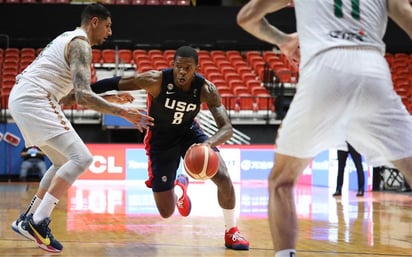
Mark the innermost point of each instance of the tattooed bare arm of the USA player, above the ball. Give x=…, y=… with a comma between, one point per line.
x=211, y=97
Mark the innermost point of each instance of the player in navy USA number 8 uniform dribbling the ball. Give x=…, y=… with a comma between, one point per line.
x=174, y=99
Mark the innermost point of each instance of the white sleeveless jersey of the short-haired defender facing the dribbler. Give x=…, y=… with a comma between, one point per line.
x=50, y=69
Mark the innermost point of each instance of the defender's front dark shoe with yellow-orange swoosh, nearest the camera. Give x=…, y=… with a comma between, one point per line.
x=42, y=235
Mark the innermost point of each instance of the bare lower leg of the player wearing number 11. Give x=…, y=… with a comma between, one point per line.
x=282, y=211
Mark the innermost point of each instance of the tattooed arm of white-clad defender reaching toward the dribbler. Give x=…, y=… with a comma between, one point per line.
x=79, y=57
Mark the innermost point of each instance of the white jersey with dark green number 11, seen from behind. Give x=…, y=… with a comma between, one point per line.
x=325, y=24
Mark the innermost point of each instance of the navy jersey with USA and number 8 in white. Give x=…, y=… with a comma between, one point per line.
x=173, y=110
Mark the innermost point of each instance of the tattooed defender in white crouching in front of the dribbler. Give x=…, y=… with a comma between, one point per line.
x=62, y=67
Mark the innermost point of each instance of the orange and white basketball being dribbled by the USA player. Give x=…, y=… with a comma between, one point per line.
x=201, y=162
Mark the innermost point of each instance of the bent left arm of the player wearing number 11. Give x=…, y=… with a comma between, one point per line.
x=252, y=19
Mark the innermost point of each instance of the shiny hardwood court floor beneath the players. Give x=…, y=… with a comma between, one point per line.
x=119, y=219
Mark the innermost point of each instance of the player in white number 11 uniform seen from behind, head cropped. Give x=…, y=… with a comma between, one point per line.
x=345, y=93
